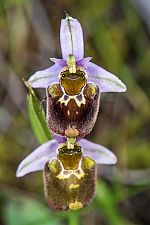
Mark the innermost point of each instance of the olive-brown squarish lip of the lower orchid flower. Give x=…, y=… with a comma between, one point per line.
x=69, y=181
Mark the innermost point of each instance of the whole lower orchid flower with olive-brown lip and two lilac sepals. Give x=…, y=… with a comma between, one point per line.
x=69, y=174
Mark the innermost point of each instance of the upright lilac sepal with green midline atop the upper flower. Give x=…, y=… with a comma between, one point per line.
x=71, y=38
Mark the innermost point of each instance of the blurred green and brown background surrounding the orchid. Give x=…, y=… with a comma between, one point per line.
x=117, y=36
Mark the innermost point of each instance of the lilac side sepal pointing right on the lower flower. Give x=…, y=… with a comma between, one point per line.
x=97, y=152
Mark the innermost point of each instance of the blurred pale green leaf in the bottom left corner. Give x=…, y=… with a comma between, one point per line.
x=27, y=211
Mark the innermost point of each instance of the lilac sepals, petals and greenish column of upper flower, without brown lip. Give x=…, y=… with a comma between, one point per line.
x=72, y=47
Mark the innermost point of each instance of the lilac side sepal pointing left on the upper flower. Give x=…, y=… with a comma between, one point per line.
x=43, y=78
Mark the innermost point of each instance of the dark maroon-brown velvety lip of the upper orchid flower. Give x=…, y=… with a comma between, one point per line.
x=72, y=103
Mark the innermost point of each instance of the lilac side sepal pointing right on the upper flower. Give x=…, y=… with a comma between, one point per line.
x=106, y=81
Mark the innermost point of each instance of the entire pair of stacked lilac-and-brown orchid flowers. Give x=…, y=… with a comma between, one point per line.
x=73, y=86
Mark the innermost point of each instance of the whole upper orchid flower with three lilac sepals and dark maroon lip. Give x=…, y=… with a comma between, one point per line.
x=74, y=83
